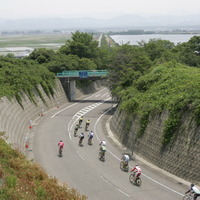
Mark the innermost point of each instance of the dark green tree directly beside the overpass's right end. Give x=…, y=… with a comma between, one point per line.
x=127, y=64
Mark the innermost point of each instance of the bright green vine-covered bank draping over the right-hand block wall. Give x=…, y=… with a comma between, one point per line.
x=172, y=87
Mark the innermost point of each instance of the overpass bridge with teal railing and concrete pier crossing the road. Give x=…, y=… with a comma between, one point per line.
x=68, y=79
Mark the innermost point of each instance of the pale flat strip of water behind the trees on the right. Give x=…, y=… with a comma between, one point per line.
x=134, y=39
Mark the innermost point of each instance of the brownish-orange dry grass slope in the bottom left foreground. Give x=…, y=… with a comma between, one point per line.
x=21, y=179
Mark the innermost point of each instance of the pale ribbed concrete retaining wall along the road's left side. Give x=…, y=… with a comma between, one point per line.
x=18, y=123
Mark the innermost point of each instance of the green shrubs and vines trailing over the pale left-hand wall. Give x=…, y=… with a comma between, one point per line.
x=23, y=76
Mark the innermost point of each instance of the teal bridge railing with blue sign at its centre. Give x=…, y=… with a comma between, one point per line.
x=83, y=73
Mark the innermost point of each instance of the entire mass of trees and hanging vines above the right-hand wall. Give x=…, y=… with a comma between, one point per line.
x=156, y=76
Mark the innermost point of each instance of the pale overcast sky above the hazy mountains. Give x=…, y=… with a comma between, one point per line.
x=19, y=9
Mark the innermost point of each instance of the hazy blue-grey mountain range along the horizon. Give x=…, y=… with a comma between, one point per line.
x=129, y=21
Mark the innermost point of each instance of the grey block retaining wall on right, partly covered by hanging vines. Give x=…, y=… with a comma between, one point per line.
x=180, y=158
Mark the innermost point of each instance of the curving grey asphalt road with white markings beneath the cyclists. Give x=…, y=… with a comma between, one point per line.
x=80, y=167
